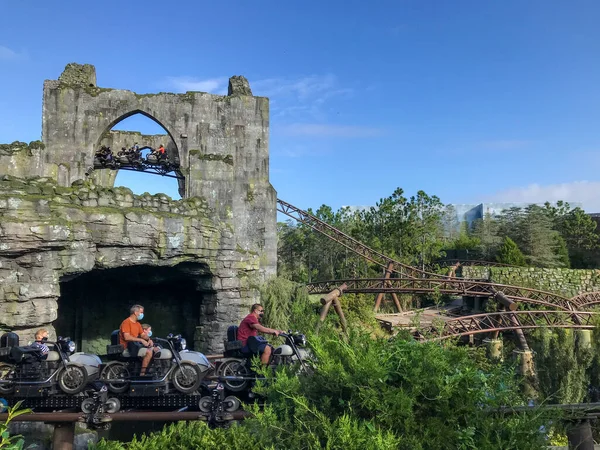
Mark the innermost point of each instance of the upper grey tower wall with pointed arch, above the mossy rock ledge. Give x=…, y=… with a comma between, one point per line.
x=222, y=143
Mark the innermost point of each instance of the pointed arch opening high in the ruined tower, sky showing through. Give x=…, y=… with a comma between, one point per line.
x=142, y=129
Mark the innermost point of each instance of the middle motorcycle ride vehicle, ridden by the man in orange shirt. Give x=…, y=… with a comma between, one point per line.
x=173, y=365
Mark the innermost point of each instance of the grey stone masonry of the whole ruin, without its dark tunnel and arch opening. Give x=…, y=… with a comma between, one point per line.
x=229, y=214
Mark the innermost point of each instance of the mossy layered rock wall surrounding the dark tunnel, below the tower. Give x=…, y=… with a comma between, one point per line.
x=50, y=233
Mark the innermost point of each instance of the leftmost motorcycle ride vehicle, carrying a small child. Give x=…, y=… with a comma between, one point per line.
x=25, y=372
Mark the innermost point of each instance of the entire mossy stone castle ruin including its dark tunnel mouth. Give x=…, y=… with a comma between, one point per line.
x=75, y=252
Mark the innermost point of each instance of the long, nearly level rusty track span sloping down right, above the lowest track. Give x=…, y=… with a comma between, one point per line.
x=444, y=286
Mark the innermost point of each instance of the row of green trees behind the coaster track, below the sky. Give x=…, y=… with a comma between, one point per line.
x=420, y=230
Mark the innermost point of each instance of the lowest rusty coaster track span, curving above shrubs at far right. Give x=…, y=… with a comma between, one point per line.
x=505, y=321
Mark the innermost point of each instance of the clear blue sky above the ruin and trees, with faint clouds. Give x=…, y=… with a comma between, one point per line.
x=472, y=101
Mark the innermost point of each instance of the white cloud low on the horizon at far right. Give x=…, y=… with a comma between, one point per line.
x=584, y=192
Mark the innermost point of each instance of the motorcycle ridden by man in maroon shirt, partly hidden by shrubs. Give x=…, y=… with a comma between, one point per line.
x=236, y=369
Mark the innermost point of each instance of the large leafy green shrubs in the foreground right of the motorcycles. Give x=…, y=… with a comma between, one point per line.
x=368, y=393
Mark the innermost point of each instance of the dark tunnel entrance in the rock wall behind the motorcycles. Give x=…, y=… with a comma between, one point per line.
x=94, y=304
